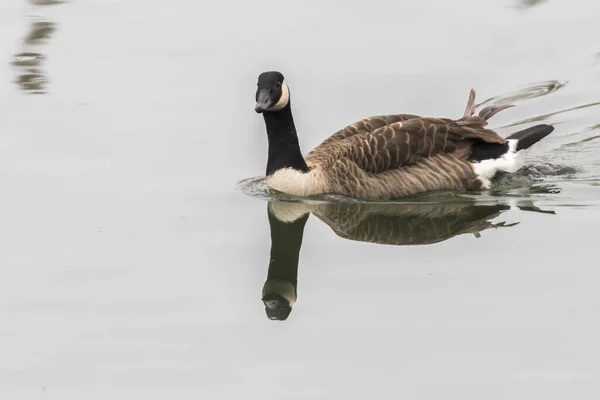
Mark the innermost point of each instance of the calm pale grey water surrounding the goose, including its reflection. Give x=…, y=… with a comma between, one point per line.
x=133, y=264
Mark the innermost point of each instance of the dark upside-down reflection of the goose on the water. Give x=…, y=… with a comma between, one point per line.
x=388, y=224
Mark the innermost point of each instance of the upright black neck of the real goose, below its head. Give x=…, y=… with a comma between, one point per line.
x=284, y=149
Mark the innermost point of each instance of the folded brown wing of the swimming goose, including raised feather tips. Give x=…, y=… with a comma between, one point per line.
x=387, y=142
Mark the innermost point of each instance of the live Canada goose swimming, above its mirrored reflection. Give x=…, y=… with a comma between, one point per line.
x=387, y=156
